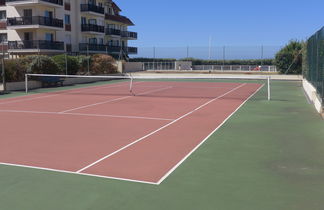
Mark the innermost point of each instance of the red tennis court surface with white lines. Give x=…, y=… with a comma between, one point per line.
x=104, y=131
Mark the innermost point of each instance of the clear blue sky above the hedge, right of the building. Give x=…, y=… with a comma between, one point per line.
x=176, y=23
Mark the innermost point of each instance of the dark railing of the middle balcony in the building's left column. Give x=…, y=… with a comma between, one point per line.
x=35, y=20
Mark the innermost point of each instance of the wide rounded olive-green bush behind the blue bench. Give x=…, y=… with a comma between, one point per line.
x=43, y=65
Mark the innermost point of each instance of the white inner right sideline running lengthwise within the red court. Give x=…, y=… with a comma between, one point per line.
x=159, y=129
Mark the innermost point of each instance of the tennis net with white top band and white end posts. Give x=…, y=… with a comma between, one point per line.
x=161, y=85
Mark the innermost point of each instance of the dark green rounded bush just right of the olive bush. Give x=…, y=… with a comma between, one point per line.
x=73, y=65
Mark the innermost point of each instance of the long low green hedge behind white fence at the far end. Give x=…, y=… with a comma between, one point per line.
x=251, y=62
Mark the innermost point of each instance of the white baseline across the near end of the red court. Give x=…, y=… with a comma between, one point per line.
x=71, y=172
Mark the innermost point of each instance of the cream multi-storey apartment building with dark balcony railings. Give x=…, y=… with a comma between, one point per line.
x=59, y=26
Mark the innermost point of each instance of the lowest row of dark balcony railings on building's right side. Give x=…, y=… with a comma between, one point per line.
x=106, y=48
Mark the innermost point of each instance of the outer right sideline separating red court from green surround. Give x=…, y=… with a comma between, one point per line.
x=203, y=141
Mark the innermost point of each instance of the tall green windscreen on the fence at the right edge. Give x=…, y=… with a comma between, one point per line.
x=314, y=71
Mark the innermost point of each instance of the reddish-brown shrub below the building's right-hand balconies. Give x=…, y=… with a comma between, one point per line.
x=103, y=64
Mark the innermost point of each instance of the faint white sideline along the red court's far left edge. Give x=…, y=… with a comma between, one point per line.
x=63, y=91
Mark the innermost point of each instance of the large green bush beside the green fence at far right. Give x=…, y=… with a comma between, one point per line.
x=289, y=59
